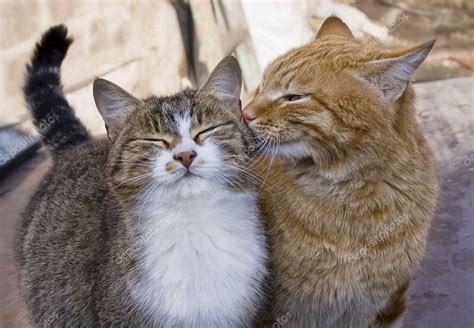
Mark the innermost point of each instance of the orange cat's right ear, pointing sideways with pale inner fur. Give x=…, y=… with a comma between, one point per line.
x=391, y=75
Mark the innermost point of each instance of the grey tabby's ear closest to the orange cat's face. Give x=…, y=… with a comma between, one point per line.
x=225, y=83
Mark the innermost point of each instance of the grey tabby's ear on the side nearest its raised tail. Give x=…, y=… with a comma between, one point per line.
x=114, y=103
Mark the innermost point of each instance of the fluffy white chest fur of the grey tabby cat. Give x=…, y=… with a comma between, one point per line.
x=204, y=261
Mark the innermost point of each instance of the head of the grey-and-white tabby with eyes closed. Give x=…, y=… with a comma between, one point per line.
x=178, y=145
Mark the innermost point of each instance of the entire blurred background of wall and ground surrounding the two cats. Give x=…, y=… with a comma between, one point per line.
x=162, y=46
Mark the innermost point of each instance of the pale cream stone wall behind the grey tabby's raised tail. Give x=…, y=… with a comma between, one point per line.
x=136, y=44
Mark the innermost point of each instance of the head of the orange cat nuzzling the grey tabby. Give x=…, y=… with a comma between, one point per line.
x=334, y=96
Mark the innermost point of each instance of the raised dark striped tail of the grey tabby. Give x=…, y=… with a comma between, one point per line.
x=53, y=116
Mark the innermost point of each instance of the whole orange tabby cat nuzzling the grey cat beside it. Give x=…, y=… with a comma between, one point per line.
x=350, y=202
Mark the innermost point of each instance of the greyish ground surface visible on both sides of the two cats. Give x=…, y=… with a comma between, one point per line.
x=442, y=293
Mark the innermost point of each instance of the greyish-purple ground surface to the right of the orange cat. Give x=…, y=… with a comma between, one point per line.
x=442, y=294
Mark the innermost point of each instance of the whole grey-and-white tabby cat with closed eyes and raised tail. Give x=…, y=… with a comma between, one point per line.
x=157, y=227
